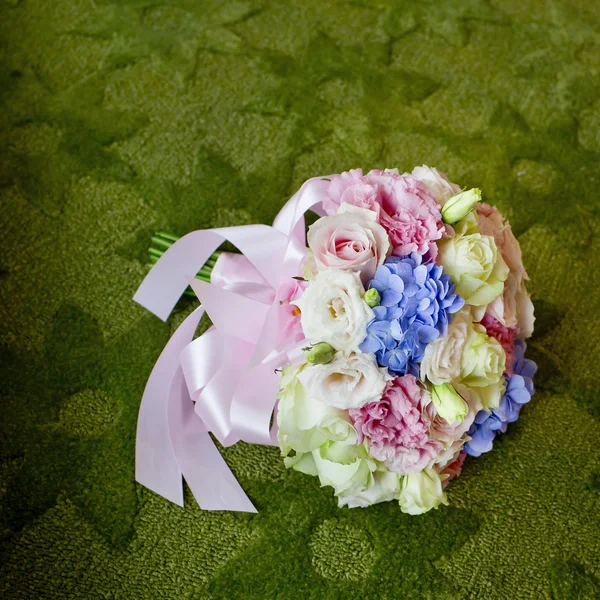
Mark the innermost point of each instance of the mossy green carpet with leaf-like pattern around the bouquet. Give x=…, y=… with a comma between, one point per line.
x=122, y=118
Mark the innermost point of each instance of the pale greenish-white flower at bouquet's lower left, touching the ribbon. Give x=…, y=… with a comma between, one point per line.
x=305, y=423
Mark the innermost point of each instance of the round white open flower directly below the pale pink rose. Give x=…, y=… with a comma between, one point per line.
x=333, y=309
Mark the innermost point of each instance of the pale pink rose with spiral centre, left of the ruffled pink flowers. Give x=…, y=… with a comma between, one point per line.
x=351, y=240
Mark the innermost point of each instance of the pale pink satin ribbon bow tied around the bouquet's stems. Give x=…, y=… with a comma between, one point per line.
x=223, y=382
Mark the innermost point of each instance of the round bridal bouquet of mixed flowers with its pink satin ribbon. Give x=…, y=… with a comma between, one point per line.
x=389, y=341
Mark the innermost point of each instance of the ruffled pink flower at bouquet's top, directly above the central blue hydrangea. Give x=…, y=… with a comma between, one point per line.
x=409, y=212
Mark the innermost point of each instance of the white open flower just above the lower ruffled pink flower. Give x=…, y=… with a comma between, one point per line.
x=347, y=381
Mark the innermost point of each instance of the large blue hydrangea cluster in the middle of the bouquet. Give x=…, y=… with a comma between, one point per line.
x=417, y=299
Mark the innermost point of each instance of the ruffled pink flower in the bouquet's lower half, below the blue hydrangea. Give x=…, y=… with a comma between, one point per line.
x=397, y=427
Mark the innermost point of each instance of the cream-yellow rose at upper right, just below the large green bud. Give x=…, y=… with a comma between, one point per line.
x=474, y=263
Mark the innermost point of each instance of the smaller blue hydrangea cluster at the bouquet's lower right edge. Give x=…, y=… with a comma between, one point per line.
x=519, y=389
